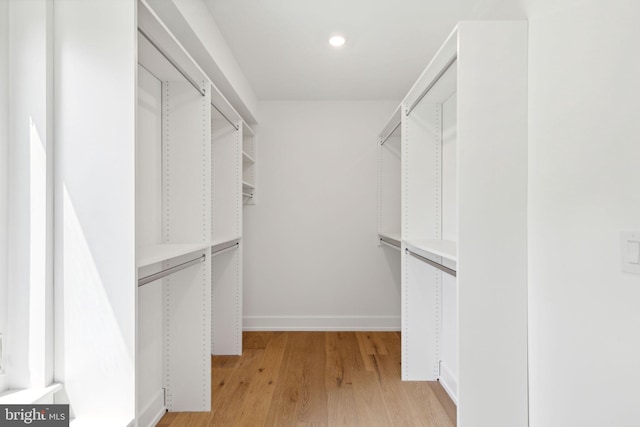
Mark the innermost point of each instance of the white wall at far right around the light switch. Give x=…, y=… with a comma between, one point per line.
x=584, y=99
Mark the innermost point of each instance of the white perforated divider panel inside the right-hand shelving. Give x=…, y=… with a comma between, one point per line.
x=421, y=284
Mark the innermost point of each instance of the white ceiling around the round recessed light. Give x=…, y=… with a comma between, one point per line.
x=282, y=45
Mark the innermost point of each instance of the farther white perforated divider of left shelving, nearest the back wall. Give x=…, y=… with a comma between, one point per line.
x=226, y=214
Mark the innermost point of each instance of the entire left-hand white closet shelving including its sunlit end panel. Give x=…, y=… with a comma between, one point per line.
x=149, y=193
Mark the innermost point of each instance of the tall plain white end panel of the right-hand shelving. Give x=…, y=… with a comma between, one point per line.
x=492, y=257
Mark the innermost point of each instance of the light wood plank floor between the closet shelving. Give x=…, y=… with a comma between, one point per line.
x=318, y=379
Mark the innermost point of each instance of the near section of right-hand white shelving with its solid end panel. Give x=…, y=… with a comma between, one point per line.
x=464, y=144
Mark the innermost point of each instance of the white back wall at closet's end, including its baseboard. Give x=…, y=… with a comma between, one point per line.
x=311, y=254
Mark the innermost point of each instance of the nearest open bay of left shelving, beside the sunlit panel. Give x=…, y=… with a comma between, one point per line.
x=173, y=225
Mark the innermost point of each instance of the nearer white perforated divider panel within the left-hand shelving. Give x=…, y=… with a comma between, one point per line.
x=186, y=133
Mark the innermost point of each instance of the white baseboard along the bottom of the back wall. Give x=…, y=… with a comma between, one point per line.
x=321, y=323
